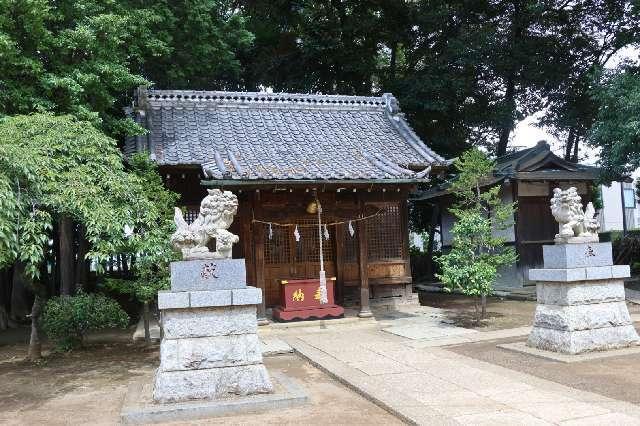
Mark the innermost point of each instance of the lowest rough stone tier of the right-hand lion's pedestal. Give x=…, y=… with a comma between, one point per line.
x=576, y=342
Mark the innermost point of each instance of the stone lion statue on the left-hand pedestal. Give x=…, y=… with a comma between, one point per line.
x=216, y=216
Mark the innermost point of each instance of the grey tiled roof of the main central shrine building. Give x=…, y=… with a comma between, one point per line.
x=260, y=136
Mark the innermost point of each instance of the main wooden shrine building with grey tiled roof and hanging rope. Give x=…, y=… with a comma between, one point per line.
x=279, y=153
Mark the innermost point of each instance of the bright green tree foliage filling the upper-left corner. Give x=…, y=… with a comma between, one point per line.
x=74, y=57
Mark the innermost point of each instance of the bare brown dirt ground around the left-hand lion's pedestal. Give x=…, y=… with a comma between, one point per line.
x=87, y=386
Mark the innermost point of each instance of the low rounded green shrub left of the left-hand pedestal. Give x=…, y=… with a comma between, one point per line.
x=67, y=319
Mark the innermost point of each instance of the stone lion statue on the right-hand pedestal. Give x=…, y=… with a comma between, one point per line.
x=575, y=225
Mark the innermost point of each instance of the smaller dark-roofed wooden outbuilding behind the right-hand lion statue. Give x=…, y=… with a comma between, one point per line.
x=527, y=177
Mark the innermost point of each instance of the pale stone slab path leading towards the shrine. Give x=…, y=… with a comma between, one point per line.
x=425, y=384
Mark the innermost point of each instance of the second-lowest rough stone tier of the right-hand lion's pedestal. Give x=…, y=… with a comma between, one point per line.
x=582, y=317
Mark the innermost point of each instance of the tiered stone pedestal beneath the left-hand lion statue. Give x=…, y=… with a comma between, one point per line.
x=209, y=347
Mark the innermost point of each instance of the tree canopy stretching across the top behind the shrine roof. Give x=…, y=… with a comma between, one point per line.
x=465, y=72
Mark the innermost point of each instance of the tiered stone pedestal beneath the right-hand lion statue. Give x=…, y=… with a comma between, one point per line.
x=581, y=301
